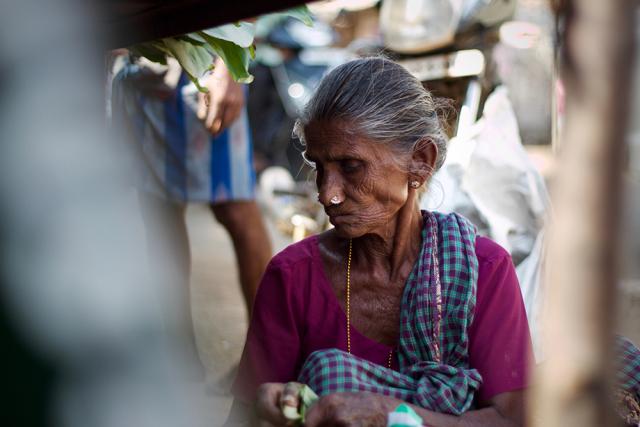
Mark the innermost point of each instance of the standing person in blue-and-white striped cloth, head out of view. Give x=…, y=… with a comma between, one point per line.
x=194, y=148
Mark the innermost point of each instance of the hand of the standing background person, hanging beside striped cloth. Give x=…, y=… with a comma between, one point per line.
x=223, y=104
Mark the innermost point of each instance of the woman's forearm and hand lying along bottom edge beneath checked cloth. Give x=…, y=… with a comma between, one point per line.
x=368, y=409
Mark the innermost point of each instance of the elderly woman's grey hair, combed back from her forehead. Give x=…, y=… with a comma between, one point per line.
x=383, y=101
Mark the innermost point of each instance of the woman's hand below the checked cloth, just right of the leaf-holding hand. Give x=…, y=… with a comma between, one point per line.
x=348, y=409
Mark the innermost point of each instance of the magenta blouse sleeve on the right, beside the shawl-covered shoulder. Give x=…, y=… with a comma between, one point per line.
x=499, y=340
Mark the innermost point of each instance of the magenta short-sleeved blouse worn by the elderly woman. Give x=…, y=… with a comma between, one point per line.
x=296, y=313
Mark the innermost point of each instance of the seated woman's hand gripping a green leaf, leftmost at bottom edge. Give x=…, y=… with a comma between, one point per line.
x=271, y=398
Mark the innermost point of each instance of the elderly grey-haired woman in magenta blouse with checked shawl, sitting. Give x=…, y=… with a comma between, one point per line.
x=394, y=304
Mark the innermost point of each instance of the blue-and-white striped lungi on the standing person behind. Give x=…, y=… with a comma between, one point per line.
x=181, y=161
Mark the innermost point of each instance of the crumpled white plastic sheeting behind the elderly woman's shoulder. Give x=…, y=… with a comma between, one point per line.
x=489, y=178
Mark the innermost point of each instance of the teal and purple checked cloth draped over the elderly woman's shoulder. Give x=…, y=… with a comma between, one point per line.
x=435, y=316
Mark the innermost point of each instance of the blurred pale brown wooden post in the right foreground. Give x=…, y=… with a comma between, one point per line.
x=596, y=65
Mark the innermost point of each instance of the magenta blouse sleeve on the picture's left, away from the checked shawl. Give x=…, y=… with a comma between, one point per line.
x=272, y=347
